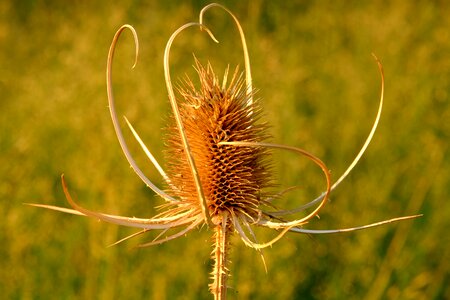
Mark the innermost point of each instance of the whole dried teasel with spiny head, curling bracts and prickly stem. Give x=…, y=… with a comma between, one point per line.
x=218, y=163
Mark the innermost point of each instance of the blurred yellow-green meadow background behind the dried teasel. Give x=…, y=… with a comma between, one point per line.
x=319, y=88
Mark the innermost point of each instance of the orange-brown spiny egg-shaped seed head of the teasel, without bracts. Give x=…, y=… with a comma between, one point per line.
x=232, y=178
